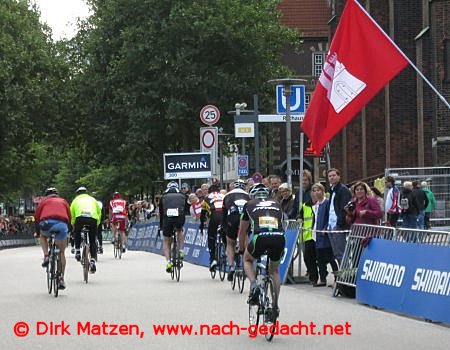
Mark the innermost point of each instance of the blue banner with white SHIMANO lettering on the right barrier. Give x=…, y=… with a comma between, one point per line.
x=406, y=277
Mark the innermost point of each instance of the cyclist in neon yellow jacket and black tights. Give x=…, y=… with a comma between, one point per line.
x=85, y=211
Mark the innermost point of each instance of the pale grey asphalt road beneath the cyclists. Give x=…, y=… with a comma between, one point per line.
x=136, y=293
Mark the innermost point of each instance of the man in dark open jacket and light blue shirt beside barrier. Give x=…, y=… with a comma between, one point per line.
x=340, y=196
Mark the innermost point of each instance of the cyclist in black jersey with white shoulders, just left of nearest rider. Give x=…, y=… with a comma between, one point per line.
x=233, y=204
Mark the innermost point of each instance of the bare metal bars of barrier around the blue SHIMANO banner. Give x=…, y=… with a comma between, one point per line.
x=356, y=244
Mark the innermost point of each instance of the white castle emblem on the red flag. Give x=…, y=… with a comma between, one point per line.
x=341, y=85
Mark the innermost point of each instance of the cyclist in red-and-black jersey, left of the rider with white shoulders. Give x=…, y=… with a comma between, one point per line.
x=212, y=208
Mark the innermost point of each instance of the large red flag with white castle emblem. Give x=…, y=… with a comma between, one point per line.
x=361, y=60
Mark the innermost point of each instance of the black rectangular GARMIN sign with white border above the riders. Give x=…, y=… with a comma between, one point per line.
x=187, y=165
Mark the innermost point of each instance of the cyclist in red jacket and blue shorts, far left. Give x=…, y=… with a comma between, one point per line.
x=53, y=214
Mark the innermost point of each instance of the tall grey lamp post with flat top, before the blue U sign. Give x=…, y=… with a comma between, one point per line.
x=287, y=92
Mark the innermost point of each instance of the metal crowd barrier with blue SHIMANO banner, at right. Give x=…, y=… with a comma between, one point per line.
x=403, y=270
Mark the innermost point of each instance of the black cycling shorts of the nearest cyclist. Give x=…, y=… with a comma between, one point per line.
x=271, y=243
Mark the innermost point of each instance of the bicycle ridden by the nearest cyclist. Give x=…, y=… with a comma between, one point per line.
x=267, y=305
